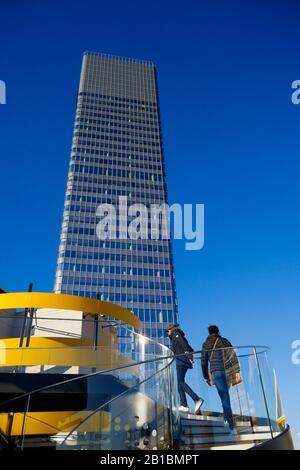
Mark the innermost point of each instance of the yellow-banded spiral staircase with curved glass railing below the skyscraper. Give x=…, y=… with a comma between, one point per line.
x=107, y=387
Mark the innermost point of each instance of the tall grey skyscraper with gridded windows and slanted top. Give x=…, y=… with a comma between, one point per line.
x=117, y=151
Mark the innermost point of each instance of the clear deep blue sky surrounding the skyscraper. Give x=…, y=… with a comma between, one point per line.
x=231, y=139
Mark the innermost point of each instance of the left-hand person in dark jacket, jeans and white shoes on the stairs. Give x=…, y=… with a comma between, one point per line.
x=184, y=361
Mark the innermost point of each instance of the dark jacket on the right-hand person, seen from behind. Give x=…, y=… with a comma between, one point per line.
x=215, y=362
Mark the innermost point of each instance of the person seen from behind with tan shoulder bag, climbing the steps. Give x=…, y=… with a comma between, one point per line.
x=218, y=357
